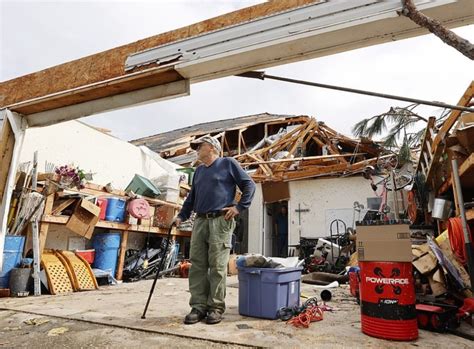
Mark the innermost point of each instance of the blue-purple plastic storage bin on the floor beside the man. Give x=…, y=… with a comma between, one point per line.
x=262, y=291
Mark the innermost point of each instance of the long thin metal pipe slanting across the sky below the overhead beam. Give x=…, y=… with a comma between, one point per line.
x=262, y=76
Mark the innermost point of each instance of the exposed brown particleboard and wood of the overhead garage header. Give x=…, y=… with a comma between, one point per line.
x=109, y=65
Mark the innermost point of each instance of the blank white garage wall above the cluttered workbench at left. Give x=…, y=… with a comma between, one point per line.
x=109, y=158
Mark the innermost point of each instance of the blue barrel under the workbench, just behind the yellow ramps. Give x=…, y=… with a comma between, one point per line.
x=106, y=247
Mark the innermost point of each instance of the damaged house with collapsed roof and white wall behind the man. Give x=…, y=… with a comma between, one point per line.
x=296, y=161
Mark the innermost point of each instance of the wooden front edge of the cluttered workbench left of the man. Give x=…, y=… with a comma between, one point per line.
x=118, y=226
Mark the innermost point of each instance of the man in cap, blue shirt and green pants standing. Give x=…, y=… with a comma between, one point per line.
x=212, y=199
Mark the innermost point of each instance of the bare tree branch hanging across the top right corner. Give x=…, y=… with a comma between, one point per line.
x=434, y=26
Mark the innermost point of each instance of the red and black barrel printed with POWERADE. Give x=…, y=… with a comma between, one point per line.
x=387, y=300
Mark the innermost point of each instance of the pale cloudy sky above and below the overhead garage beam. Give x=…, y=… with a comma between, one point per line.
x=35, y=35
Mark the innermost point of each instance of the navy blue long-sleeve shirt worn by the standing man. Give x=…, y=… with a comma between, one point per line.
x=214, y=188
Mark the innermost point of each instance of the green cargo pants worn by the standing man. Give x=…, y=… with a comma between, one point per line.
x=210, y=249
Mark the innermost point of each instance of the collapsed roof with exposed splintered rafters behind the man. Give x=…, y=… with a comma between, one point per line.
x=273, y=147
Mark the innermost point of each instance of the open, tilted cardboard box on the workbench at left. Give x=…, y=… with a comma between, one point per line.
x=84, y=218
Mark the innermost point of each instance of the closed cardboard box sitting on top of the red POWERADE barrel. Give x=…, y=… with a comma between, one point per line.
x=384, y=243
